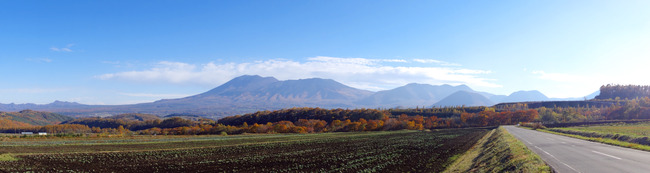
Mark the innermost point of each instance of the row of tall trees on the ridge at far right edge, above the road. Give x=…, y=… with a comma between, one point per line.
x=623, y=91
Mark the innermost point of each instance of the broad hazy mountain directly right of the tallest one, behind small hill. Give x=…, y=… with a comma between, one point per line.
x=412, y=95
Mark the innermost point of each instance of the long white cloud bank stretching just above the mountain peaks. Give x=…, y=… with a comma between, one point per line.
x=357, y=72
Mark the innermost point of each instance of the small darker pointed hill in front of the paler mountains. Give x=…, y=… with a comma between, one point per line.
x=465, y=98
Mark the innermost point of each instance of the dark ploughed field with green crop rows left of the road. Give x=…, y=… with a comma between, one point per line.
x=386, y=151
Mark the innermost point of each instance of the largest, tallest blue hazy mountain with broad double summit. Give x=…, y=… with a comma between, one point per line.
x=247, y=94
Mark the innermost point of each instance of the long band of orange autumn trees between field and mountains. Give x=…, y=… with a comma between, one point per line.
x=295, y=120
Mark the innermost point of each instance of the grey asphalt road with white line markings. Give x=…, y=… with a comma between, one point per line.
x=566, y=155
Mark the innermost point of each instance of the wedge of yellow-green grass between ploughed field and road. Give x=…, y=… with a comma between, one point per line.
x=499, y=151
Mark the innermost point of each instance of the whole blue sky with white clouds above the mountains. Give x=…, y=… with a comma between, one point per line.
x=120, y=52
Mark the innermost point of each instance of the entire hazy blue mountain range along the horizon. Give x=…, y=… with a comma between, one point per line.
x=250, y=93
